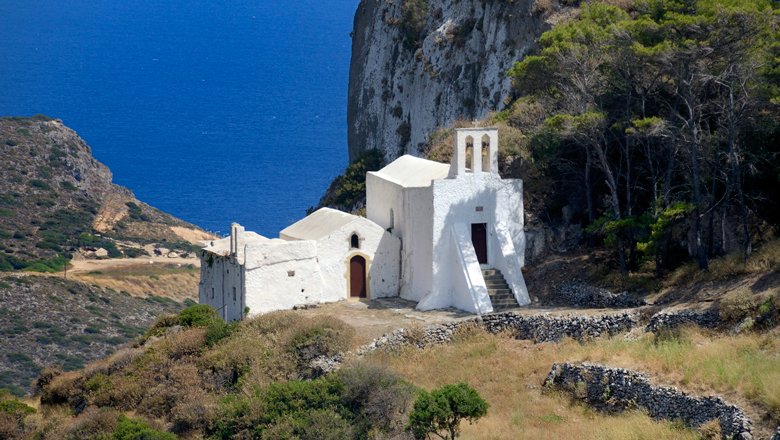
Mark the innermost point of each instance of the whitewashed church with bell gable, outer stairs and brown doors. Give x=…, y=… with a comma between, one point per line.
x=440, y=235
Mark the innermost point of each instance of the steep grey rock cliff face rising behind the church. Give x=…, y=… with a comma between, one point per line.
x=422, y=64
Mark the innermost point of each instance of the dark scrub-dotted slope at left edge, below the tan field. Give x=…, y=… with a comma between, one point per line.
x=48, y=321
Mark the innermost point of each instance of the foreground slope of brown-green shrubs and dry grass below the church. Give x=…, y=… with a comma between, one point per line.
x=197, y=377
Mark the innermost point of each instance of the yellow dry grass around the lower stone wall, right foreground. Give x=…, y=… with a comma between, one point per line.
x=509, y=374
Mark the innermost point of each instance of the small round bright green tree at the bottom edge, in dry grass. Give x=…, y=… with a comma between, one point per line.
x=441, y=411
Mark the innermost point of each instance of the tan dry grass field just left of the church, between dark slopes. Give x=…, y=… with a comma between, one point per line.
x=168, y=280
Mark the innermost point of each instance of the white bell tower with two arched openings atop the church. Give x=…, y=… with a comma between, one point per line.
x=476, y=152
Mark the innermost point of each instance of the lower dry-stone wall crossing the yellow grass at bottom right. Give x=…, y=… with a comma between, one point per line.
x=617, y=389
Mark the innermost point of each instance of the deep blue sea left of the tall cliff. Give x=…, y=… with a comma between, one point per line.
x=213, y=111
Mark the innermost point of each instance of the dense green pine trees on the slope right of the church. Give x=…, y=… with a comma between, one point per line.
x=650, y=128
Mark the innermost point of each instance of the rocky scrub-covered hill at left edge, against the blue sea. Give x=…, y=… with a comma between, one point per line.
x=56, y=198
